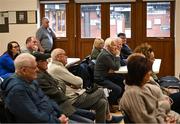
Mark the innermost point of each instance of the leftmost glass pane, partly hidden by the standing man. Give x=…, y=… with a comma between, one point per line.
x=57, y=18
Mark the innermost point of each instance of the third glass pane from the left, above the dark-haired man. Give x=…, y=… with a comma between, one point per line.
x=120, y=19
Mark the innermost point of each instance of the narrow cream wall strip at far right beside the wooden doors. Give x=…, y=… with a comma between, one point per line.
x=177, y=38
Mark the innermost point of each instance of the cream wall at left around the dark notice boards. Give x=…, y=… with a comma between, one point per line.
x=17, y=32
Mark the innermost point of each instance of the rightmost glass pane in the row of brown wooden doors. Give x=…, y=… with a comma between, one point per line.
x=158, y=19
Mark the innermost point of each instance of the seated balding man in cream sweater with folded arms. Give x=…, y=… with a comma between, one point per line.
x=78, y=96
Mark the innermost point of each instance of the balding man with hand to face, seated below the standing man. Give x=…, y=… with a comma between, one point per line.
x=32, y=45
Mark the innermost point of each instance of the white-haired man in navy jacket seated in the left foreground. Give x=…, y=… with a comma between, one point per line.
x=23, y=97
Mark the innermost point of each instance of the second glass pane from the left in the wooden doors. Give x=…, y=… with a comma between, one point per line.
x=90, y=21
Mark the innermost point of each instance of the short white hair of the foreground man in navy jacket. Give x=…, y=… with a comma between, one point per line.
x=24, y=59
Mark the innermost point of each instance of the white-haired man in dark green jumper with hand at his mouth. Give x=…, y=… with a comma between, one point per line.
x=107, y=62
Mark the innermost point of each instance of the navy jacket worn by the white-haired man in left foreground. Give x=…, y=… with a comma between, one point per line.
x=26, y=101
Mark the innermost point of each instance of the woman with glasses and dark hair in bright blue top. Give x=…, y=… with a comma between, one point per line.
x=7, y=59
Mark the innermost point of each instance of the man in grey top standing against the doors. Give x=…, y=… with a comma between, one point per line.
x=45, y=35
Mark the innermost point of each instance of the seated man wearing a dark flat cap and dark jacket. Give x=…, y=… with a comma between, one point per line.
x=51, y=88
